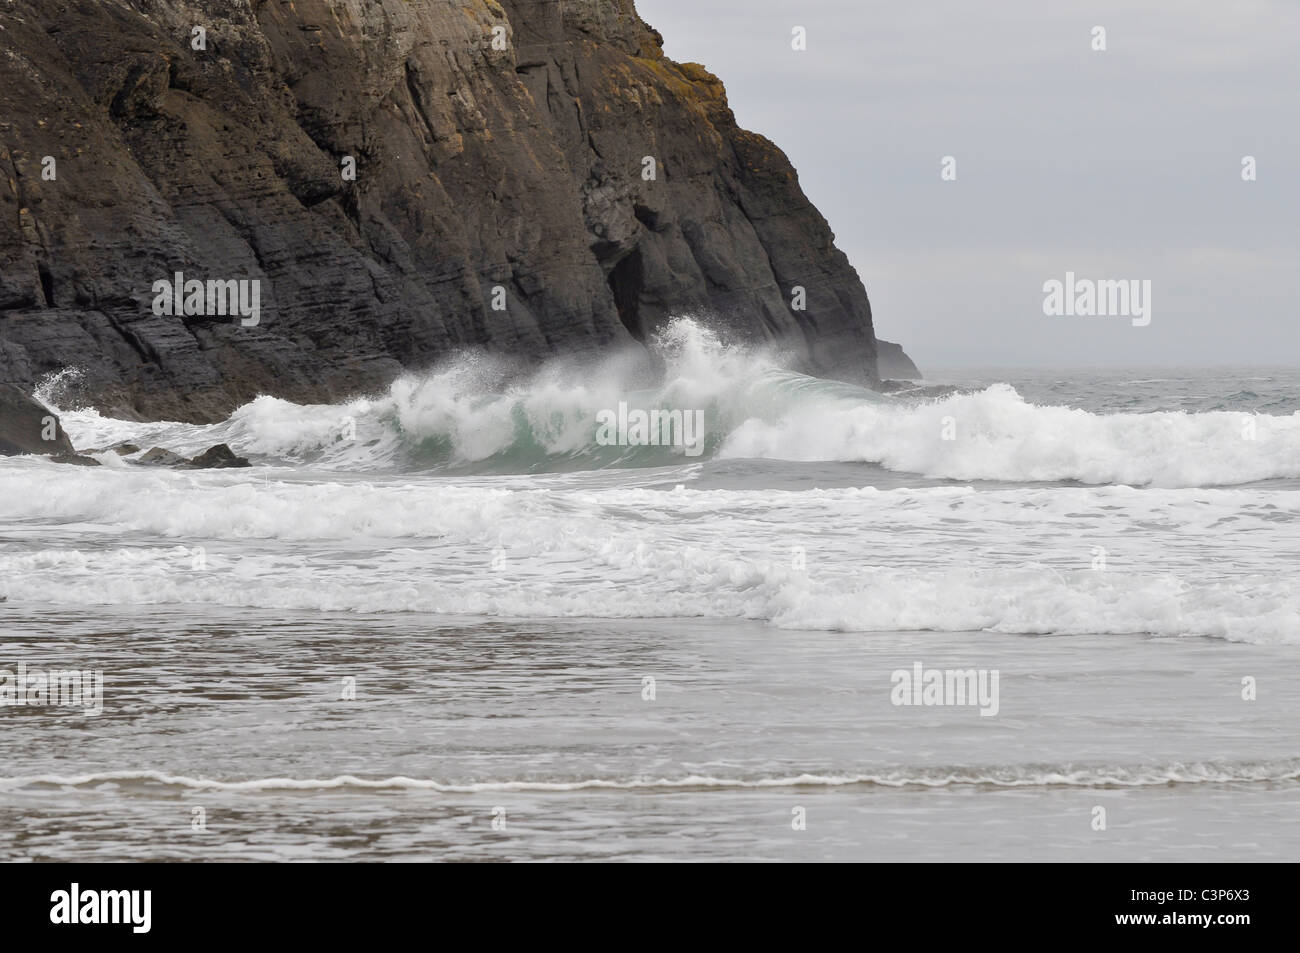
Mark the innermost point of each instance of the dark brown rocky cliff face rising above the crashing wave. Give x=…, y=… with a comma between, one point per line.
x=501, y=159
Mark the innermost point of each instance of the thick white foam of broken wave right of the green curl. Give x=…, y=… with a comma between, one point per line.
x=998, y=436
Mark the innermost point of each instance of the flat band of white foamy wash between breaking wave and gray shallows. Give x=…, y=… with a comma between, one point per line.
x=1210, y=564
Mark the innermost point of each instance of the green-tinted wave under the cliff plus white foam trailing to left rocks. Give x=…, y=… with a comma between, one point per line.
x=681, y=401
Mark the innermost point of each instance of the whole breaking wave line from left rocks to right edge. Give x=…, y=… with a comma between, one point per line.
x=473, y=417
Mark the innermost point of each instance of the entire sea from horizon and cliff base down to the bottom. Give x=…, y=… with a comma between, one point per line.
x=447, y=622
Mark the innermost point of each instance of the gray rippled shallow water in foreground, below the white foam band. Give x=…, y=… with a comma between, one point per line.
x=544, y=725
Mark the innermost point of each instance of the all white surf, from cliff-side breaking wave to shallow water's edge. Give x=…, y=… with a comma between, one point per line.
x=363, y=522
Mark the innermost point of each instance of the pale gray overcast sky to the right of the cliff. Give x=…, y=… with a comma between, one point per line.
x=1117, y=164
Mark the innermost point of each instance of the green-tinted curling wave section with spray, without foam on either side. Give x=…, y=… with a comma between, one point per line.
x=599, y=417
